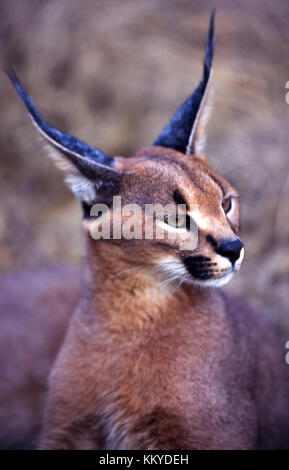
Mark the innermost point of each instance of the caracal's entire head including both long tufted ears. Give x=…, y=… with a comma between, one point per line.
x=163, y=211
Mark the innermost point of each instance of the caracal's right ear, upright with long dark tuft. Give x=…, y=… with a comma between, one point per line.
x=186, y=130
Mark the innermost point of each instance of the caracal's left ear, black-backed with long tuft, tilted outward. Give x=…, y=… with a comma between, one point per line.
x=92, y=175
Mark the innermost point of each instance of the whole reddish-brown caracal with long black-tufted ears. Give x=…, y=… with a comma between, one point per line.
x=153, y=358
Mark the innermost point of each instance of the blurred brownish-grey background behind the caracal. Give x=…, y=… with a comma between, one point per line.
x=112, y=72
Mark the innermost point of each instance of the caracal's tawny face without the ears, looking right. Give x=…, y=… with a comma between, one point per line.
x=193, y=235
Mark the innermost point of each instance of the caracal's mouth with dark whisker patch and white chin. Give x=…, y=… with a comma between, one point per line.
x=206, y=273
